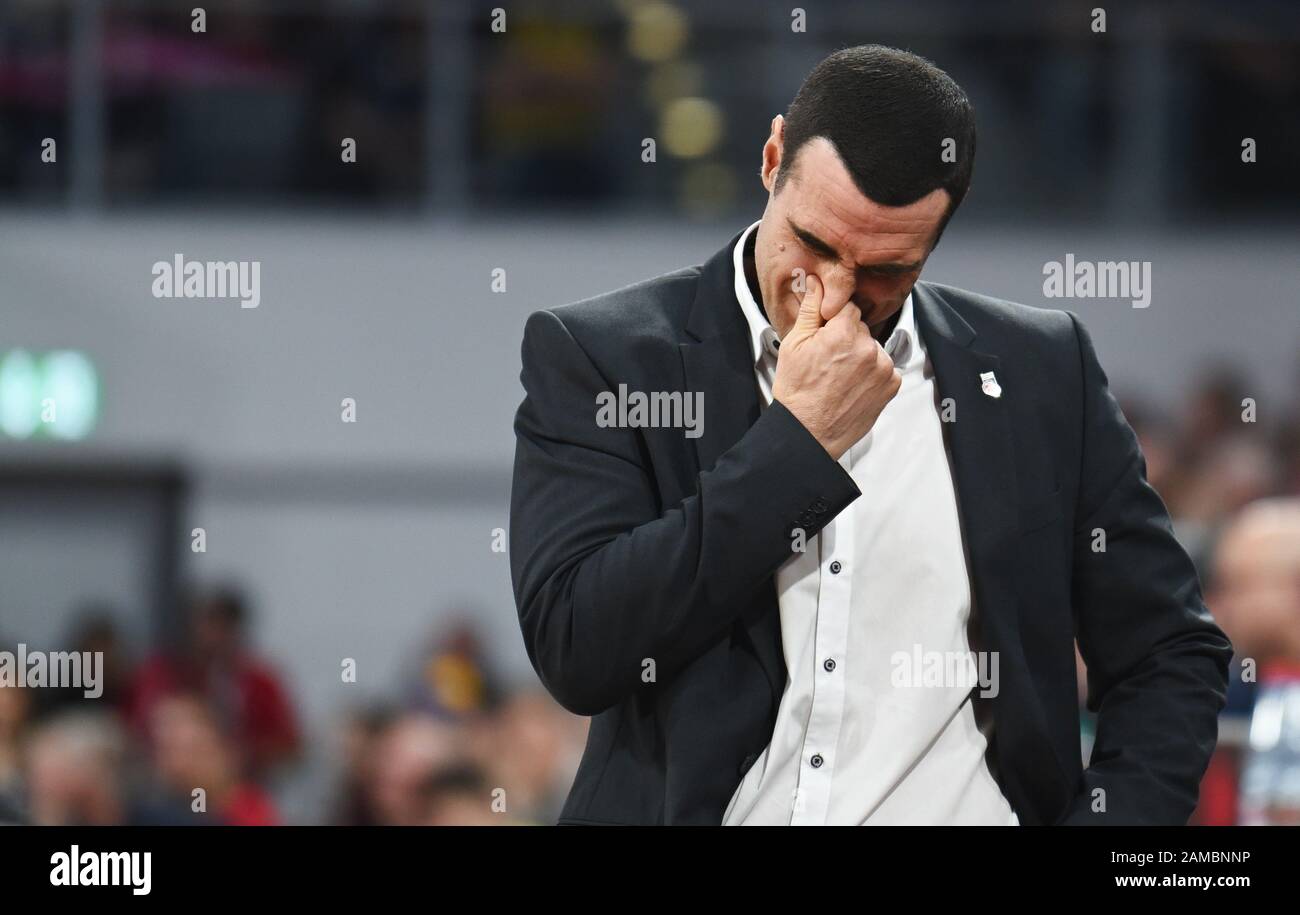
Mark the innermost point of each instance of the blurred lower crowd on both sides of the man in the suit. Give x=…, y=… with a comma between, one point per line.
x=457, y=747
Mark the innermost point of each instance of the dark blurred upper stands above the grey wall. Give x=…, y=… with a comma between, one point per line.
x=253, y=107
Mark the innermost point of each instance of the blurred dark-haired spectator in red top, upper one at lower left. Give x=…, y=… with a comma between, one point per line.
x=246, y=696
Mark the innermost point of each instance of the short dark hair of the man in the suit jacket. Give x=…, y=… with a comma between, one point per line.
x=887, y=114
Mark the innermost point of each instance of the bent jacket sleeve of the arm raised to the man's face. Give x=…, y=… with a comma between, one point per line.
x=605, y=578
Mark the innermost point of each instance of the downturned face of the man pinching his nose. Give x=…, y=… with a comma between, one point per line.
x=822, y=224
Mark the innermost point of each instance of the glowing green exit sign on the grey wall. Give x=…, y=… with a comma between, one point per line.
x=47, y=394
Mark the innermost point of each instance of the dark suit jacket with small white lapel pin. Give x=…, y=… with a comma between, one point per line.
x=644, y=561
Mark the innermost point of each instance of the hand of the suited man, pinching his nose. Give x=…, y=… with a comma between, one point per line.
x=834, y=376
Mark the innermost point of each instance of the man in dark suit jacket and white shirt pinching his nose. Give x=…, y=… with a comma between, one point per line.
x=887, y=470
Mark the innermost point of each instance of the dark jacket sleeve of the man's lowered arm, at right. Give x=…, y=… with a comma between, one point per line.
x=1158, y=665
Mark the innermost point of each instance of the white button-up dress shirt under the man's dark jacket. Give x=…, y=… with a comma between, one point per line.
x=889, y=576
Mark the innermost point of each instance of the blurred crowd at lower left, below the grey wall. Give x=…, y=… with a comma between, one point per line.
x=207, y=732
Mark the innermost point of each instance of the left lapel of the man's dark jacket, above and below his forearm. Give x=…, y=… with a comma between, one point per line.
x=720, y=363
